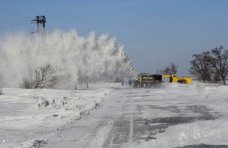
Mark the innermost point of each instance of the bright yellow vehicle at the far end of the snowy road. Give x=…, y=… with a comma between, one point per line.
x=175, y=79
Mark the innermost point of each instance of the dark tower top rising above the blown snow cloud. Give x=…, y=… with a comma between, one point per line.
x=40, y=22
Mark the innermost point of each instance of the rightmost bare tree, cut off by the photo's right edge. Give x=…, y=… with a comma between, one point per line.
x=219, y=61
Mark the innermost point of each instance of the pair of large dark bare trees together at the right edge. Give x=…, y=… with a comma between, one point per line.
x=210, y=66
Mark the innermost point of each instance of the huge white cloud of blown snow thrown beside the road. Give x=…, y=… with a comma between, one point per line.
x=75, y=58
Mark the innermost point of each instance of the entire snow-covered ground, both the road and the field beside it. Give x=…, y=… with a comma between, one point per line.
x=171, y=115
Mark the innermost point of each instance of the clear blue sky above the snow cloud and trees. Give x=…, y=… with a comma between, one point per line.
x=154, y=32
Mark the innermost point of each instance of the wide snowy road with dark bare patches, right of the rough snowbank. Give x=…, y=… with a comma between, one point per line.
x=180, y=116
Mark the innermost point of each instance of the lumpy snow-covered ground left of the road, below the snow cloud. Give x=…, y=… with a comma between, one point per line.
x=27, y=116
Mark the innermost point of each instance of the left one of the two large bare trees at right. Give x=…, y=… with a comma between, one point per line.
x=200, y=66
